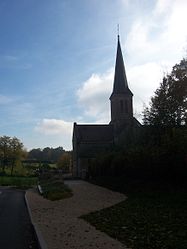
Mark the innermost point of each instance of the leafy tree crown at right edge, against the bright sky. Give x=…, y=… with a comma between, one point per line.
x=168, y=106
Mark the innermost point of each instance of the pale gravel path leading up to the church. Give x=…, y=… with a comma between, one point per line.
x=59, y=223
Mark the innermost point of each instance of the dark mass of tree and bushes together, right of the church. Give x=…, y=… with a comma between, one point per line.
x=159, y=149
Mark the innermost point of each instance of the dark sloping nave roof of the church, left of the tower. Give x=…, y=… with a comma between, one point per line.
x=93, y=133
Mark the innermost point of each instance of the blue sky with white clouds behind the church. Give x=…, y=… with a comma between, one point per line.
x=57, y=61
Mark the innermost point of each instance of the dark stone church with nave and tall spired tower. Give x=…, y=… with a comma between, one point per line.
x=91, y=139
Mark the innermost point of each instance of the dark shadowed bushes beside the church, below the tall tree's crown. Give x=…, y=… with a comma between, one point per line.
x=159, y=155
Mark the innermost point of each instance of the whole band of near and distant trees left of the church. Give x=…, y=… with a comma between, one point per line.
x=15, y=159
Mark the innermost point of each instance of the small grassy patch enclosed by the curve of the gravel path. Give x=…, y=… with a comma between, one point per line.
x=55, y=190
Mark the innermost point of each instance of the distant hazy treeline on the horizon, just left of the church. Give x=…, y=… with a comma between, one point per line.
x=47, y=154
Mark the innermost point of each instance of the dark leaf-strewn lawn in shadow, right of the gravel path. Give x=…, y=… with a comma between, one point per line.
x=153, y=216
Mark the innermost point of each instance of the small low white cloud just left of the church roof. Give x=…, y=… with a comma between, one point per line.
x=54, y=127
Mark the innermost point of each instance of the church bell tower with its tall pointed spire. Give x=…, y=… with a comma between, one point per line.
x=121, y=97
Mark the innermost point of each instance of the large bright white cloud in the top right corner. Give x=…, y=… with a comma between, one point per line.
x=161, y=34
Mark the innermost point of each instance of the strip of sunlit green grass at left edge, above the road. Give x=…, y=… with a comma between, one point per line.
x=18, y=182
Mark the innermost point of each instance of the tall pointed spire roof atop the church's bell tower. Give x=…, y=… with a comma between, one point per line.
x=120, y=85
